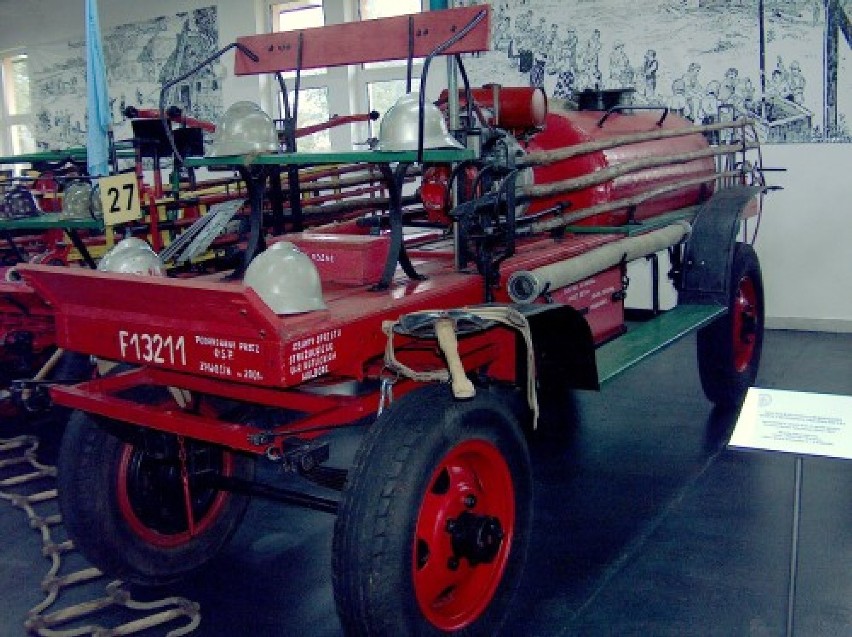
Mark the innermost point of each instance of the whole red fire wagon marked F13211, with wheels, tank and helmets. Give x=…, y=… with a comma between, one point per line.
x=447, y=324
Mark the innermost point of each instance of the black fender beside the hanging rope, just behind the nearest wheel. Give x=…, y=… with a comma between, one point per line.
x=564, y=348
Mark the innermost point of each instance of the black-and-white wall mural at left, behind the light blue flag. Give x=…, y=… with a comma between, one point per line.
x=140, y=57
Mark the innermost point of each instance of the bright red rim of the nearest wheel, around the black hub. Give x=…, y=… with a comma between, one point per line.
x=473, y=479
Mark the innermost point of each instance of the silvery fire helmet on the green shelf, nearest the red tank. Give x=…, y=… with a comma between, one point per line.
x=399, y=128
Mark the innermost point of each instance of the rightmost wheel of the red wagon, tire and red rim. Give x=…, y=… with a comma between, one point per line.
x=728, y=361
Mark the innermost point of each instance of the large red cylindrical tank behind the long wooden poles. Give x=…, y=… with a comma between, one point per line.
x=569, y=128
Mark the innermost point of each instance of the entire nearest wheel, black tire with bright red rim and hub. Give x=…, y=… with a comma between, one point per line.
x=434, y=522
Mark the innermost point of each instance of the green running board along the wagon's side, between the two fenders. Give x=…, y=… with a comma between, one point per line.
x=644, y=339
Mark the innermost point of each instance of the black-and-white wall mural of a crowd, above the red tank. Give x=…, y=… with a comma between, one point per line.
x=706, y=59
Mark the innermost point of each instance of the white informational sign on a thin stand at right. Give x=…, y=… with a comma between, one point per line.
x=795, y=422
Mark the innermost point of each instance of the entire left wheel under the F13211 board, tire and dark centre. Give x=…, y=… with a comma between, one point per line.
x=144, y=508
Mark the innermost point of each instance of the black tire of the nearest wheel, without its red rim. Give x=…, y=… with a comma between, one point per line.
x=394, y=471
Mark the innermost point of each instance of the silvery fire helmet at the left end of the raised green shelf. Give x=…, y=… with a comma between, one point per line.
x=244, y=129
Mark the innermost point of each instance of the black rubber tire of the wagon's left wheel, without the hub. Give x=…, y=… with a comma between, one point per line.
x=90, y=471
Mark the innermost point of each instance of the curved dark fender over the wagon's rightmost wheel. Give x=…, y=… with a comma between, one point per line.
x=709, y=250
